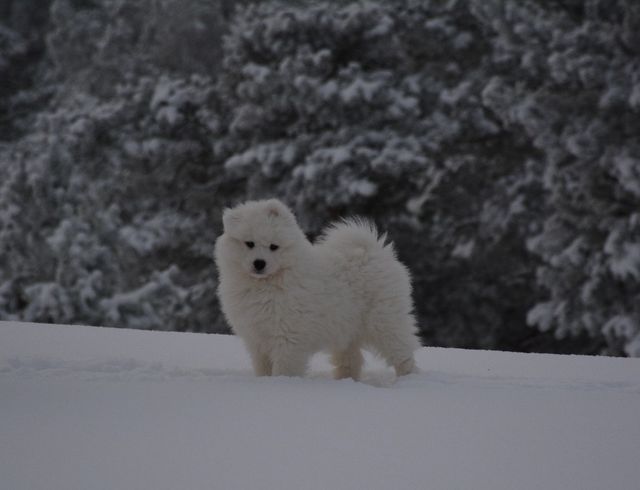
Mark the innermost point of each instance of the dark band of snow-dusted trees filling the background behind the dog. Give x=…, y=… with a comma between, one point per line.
x=497, y=141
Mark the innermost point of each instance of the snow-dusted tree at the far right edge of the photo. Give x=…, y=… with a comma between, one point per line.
x=574, y=87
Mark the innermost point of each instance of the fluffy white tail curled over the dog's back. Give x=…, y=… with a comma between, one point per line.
x=356, y=234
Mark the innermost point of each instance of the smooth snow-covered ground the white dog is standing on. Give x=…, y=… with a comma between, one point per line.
x=95, y=408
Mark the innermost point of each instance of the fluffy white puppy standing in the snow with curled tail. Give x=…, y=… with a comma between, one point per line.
x=288, y=299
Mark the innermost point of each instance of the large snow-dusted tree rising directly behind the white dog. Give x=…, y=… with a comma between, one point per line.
x=377, y=108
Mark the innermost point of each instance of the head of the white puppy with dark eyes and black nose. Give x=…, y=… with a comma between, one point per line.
x=260, y=237
